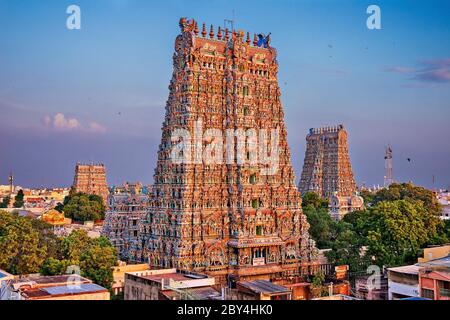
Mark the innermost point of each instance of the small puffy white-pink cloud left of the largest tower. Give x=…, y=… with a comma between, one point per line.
x=60, y=122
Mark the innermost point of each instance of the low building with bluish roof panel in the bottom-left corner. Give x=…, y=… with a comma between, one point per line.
x=64, y=287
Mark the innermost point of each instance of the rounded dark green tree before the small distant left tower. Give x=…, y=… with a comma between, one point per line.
x=83, y=207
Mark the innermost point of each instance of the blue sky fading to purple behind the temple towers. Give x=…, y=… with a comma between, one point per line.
x=61, y=91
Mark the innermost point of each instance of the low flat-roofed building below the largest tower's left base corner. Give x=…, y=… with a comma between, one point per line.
x=169, y=284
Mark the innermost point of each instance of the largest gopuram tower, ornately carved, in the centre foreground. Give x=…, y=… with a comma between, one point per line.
x=233, y=219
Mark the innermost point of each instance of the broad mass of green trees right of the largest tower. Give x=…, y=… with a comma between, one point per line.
x=391, y=231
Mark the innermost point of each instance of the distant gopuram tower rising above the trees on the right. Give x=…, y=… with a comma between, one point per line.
x=327, y=169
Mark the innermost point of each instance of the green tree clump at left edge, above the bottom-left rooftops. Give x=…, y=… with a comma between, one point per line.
x=29, y=246
